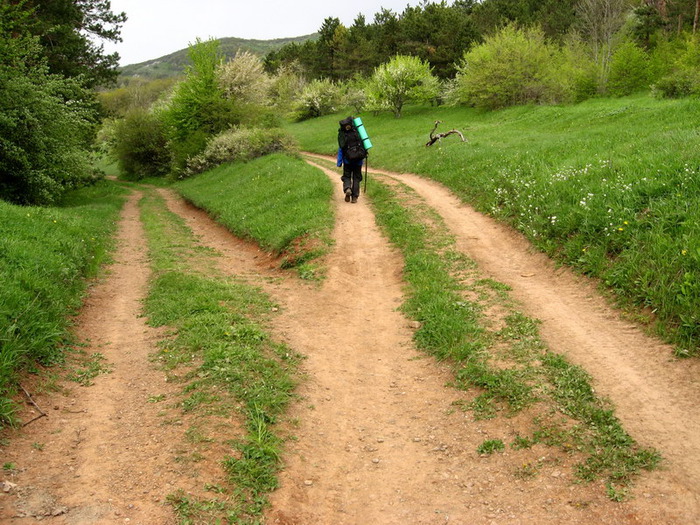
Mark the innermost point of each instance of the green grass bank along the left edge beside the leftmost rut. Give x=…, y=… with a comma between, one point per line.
x=47, y=253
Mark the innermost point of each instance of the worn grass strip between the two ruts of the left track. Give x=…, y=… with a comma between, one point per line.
x=226, y=360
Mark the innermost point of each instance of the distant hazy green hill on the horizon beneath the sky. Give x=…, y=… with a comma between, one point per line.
x=174, y=64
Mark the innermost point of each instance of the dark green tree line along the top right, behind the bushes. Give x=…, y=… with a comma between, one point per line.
x=440, y=33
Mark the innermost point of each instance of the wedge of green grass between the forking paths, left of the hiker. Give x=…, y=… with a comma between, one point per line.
x=278, y=201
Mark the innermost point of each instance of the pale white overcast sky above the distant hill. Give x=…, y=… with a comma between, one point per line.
x=159, y=27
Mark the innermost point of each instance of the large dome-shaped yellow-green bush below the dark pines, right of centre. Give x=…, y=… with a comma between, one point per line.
x=514, y=66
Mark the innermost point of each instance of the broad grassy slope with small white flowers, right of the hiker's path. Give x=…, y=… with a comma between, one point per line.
x=608, y=186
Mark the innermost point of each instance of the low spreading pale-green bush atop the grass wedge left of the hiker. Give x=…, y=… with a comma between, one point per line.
x=242, y=144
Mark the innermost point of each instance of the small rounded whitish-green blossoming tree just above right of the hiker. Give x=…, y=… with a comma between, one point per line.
x=401, y=80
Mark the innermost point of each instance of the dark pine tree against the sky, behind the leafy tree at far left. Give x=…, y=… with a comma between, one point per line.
x=67, y=30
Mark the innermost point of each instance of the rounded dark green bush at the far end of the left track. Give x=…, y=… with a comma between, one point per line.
x=140, y=145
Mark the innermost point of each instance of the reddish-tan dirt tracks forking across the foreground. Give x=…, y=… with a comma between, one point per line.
x=378, y=433
